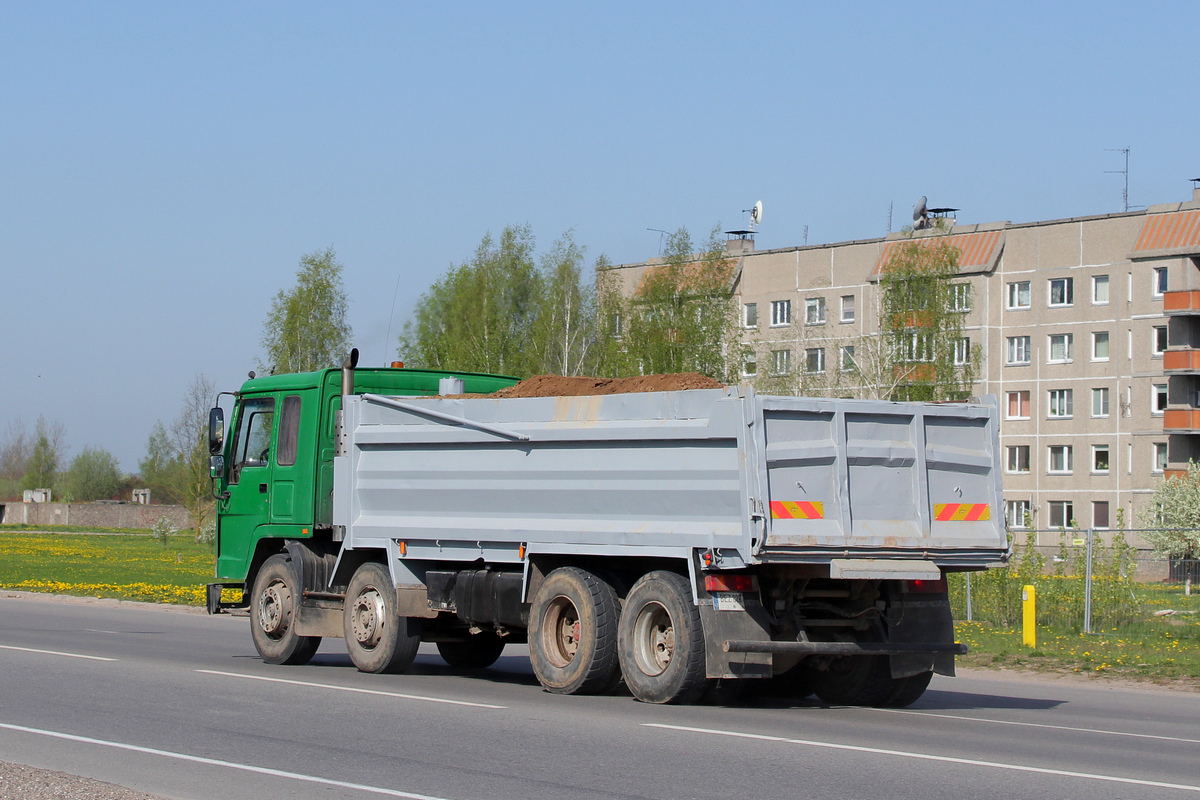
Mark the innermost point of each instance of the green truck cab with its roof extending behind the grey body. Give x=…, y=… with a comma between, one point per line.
x=273, y=476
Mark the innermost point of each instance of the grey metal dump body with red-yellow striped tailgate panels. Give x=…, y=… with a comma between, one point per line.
x=725, y=479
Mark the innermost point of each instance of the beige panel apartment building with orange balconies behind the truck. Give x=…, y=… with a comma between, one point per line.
x=1088, y=330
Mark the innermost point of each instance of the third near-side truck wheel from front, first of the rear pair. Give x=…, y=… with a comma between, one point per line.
x=573, y=634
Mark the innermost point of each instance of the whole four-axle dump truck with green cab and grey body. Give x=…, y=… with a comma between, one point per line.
x=682, y=543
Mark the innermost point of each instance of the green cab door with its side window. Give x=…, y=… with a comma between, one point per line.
x=248, y=506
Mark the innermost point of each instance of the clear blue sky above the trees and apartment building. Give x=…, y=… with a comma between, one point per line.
x=165, y=166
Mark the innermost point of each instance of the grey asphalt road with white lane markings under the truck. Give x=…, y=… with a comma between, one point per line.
x=178, y=705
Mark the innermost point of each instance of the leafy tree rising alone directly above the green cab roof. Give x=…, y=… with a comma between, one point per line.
x=307, y=328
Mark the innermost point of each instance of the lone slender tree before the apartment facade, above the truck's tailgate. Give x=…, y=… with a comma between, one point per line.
x=920, y=326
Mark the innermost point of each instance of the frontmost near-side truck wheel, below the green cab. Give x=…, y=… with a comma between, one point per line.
x=274, y=607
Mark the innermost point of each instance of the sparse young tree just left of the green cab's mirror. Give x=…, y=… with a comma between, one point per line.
x=177, y=461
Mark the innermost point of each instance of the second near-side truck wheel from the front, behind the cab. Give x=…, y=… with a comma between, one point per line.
x=376, y=637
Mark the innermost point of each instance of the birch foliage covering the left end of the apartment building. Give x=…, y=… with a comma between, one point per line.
x=681, y=318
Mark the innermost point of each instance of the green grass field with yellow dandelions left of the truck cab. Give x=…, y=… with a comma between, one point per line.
x=130, y=567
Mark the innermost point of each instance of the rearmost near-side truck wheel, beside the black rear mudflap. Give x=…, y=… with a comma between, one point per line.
x=663, y=642
